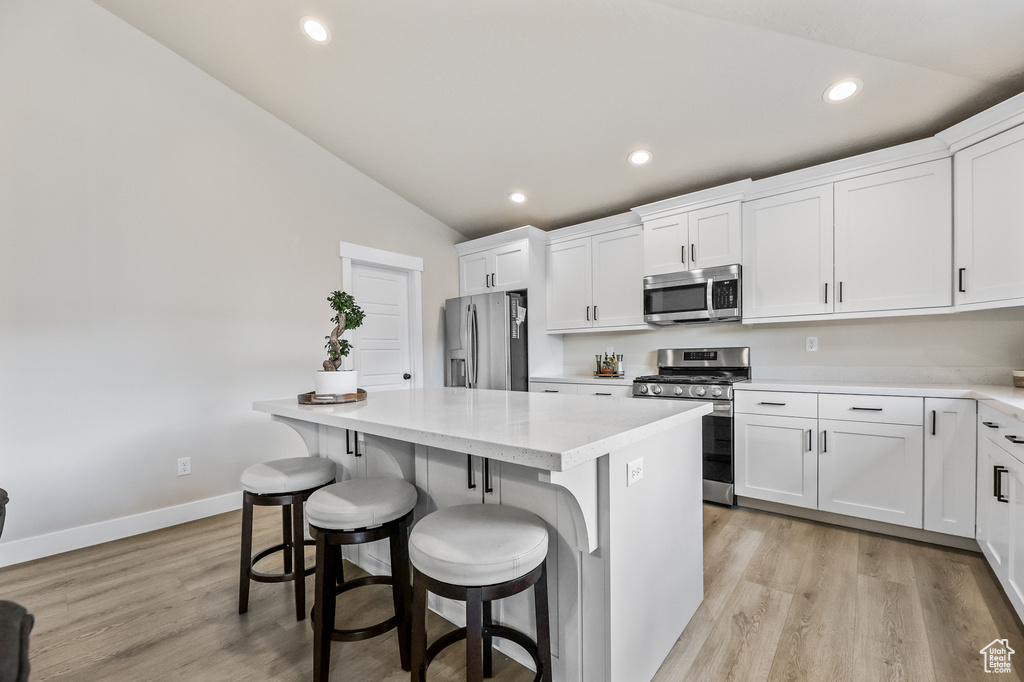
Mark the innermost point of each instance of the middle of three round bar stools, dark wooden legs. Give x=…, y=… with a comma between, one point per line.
x=354, y=513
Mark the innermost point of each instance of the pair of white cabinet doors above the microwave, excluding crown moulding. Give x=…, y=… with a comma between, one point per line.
x=693, y=240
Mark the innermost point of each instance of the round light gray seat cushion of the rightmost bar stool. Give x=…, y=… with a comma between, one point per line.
x=476, y=545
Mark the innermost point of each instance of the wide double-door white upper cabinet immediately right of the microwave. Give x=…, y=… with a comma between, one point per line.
x=862, y=237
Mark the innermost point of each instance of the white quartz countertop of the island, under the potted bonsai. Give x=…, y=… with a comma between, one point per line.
x=550, y=432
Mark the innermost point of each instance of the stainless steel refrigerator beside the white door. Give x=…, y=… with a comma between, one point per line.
x=486, y=342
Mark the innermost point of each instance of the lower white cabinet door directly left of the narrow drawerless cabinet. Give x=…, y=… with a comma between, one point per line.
x=872, y=472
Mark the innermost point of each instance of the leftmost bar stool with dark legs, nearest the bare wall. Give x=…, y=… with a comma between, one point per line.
x=287, y=484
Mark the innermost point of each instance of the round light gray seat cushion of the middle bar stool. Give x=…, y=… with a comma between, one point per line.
x=361, y=503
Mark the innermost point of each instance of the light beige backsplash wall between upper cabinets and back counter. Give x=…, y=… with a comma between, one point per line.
x=968, y=348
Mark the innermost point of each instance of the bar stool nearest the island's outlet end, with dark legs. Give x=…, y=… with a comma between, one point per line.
x=479, y=553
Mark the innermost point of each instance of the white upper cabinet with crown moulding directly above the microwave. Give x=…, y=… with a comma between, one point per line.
x=693, y=232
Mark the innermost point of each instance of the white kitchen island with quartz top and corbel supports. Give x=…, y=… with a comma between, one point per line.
x=618, y=482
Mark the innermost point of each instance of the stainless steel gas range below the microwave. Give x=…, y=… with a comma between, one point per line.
x=704, y=374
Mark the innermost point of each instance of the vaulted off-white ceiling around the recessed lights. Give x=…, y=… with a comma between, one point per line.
x=456, y=104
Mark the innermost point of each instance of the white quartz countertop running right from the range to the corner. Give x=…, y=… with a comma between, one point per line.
x=1007, y=400
